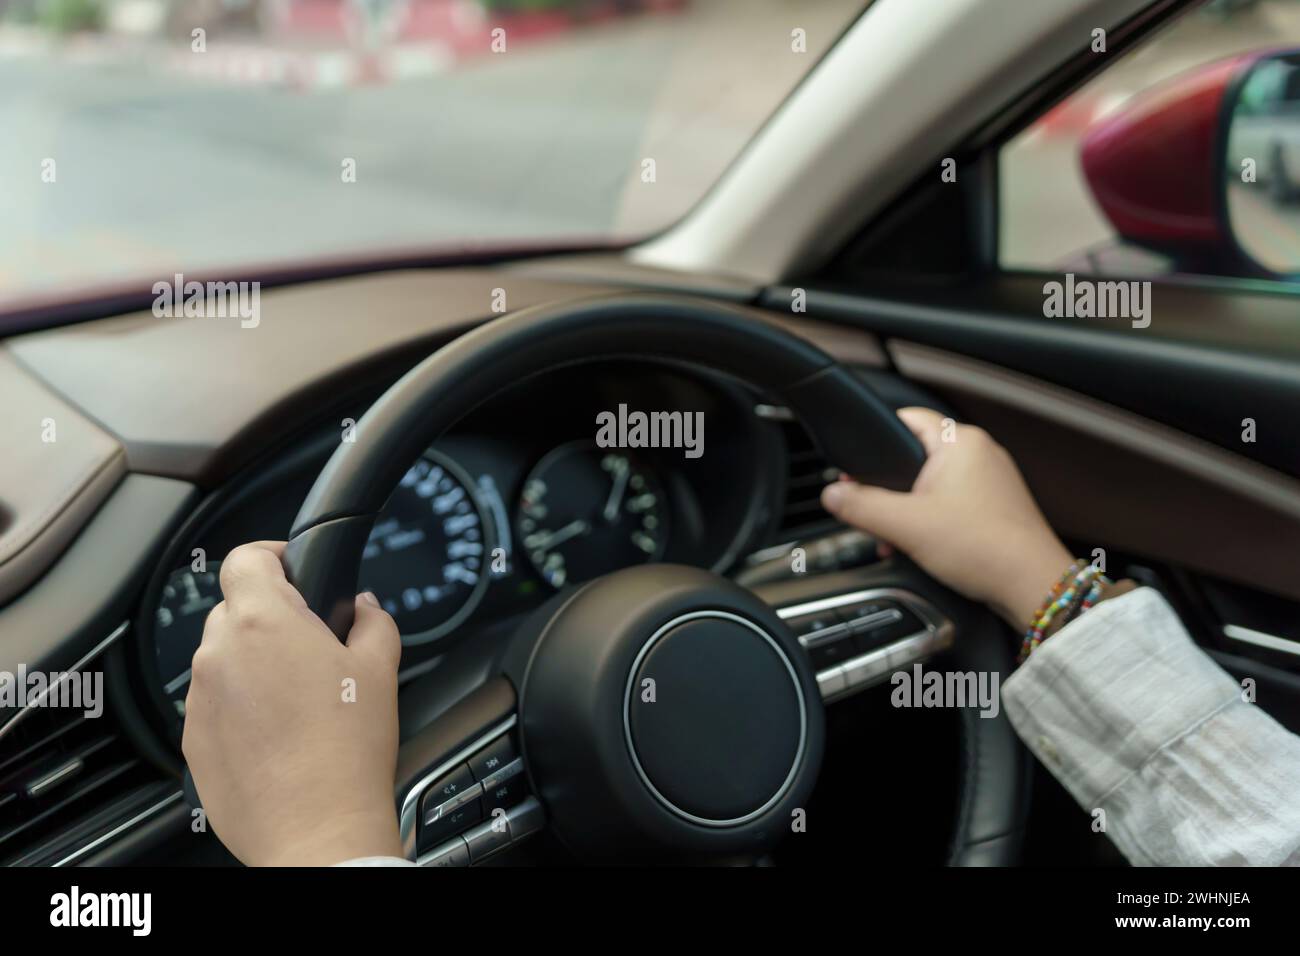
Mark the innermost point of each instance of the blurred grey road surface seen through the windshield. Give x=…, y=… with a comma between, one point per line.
x=158, y=174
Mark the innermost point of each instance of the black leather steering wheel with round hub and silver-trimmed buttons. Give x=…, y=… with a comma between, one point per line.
x=660, y=712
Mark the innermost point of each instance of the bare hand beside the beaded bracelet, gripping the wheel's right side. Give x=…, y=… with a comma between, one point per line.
x=969, y=520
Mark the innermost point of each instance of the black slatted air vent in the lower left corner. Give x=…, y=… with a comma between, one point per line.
x=59, y=767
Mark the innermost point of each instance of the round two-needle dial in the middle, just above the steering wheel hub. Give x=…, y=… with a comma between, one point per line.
x=588, y=511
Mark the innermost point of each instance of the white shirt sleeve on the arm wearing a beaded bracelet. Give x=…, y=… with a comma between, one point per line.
x=1136, y=720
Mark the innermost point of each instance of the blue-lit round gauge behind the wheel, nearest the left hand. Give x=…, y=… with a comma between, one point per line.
x=427, y=557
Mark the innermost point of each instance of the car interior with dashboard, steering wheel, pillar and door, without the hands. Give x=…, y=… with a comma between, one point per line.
x=421, y=426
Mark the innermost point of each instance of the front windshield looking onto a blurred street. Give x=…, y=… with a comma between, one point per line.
x=144, y=139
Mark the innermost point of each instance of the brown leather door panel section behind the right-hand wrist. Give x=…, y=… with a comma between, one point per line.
x=1168, y=496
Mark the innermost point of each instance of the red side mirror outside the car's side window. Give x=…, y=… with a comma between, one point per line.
x=1169, y=168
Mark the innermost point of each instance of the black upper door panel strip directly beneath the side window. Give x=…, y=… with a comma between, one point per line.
x=1212, y=357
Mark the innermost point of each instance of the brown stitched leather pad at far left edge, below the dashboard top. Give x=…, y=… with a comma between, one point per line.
x=50, y=490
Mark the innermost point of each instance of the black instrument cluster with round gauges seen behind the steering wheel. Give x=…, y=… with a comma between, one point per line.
x=518, y=503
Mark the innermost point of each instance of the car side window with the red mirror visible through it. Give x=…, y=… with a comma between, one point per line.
x=1180, y=158
